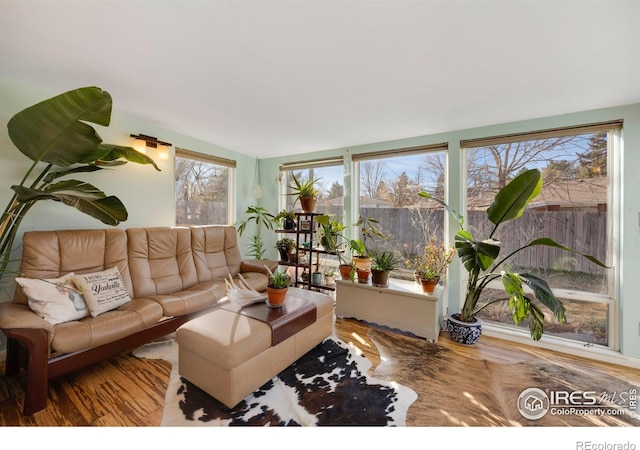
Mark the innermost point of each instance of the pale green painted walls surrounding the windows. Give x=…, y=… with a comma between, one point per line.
x=149, y=195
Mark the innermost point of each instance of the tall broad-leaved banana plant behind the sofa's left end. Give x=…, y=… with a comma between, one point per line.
x=55, y=136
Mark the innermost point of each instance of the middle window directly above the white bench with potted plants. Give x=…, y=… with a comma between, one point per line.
x=388, y=184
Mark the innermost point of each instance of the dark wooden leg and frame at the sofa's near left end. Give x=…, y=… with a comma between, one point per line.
x=37, y=346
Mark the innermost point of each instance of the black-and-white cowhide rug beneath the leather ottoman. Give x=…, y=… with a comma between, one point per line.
x=327, y=386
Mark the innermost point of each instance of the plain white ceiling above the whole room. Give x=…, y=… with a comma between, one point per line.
x=272, y=78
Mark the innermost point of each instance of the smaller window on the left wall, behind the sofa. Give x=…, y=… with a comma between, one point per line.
x=203, y=189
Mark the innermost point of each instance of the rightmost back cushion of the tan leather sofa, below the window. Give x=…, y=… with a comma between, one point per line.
x=215, y=251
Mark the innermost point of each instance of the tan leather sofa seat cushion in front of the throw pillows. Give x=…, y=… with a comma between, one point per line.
x=108, y=327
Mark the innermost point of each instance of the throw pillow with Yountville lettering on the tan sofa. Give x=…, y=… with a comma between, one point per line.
x=103, y=291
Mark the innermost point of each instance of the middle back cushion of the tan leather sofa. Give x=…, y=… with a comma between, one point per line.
x=160, y=260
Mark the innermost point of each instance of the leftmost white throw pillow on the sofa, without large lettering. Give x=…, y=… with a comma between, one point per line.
x=56, y=300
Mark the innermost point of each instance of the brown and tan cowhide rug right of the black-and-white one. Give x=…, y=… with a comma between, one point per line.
x=455, y=389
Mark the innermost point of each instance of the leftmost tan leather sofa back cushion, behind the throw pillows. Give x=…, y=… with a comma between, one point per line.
x=52, y=254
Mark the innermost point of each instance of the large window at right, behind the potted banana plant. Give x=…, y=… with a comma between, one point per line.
x=574, y=209
